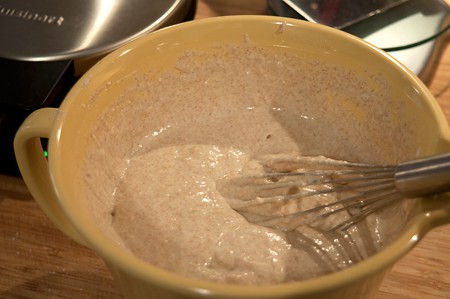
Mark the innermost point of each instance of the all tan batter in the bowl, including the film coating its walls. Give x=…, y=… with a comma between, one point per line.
x=209, y=118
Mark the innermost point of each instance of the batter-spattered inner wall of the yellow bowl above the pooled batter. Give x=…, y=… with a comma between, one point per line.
x=364, y=108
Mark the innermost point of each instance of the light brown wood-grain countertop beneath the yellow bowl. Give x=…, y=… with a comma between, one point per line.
x=38, y=261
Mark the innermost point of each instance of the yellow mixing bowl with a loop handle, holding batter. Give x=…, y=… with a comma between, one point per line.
x=57, y=183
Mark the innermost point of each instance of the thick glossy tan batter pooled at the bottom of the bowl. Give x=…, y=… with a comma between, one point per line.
x=170, y=213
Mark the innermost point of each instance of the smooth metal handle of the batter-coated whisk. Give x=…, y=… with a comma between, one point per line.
x=426, y=176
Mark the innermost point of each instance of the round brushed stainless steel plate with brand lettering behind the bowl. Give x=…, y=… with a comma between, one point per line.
x=47, y=30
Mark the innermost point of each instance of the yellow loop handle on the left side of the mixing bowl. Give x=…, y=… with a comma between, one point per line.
x=34, y=167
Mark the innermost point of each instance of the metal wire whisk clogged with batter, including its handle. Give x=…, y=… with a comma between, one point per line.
x=275, y=198
